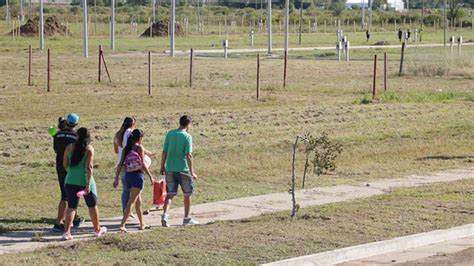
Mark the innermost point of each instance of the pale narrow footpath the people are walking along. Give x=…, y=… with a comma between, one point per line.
x=234, y=209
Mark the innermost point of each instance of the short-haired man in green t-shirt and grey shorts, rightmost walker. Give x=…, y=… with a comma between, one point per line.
x=177, y=164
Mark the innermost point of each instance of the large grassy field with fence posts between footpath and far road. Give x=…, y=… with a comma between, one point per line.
x=242, y=146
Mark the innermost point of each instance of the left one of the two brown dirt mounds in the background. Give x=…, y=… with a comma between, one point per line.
x=52, y=26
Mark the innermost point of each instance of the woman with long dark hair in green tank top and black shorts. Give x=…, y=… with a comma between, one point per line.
x=79, y=161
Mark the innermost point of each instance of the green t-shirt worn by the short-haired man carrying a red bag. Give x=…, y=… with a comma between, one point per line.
x=178, y=143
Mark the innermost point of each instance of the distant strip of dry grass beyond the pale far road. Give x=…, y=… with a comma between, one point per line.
x=127, y=41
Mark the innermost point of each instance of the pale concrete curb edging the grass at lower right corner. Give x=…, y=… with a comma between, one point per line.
x=380, y=247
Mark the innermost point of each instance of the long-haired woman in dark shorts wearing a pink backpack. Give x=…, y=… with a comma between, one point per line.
x=133, y=161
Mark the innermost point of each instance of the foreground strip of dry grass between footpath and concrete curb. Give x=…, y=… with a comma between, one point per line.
x=277, y=236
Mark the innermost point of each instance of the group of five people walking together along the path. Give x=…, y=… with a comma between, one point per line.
x=75, y=166
